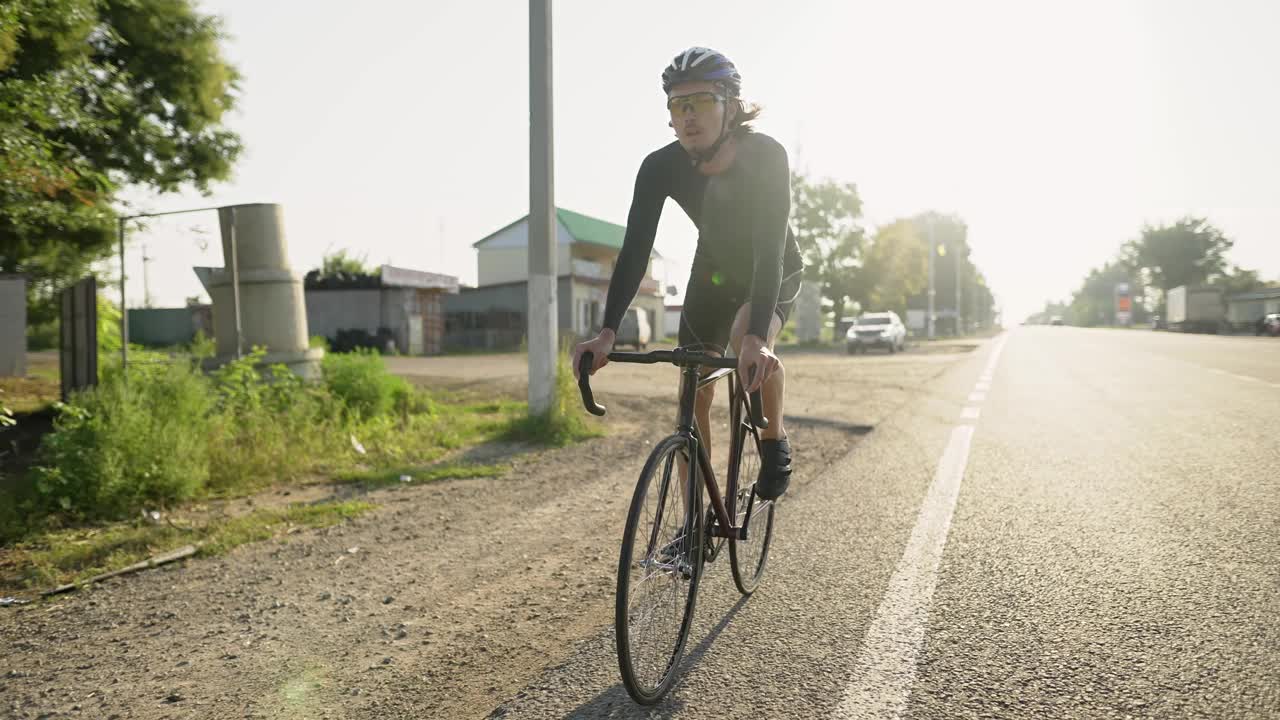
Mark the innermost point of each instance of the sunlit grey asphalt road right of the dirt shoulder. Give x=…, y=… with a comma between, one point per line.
x=1068, y=523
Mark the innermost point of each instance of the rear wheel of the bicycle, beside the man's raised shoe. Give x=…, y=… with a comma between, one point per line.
x=748, y=558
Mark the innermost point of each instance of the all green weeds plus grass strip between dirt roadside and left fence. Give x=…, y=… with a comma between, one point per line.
x=172, y=436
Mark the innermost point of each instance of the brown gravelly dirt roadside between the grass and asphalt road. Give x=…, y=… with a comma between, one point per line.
x=441, y=604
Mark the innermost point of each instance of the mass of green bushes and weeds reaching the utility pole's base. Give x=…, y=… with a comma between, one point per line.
x=172, y=435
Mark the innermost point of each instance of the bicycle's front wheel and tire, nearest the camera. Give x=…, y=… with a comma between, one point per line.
x=647, y=663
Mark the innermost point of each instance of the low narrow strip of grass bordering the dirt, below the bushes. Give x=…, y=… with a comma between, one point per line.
x=75, y=555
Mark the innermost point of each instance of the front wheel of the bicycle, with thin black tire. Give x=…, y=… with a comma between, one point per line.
x=660, y=568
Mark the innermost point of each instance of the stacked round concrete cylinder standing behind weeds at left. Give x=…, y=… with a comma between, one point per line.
x=271, y=302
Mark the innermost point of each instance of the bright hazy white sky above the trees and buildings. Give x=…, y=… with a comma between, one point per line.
x=400, y=130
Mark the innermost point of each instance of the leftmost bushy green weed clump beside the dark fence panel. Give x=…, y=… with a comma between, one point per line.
x=125, y=446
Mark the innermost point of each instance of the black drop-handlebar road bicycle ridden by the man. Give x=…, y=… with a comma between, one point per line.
x=669, y=537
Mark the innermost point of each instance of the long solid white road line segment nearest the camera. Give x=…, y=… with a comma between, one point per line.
x=886, y=668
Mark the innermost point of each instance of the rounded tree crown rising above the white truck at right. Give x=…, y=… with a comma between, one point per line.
x=1191, y=252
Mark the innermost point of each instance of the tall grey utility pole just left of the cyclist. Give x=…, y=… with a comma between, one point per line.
x=542, y=213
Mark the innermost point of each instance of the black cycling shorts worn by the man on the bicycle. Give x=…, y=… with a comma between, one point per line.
x=711, y=304
